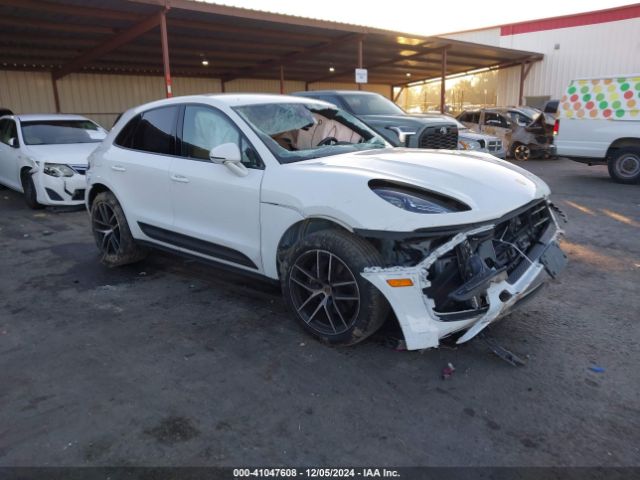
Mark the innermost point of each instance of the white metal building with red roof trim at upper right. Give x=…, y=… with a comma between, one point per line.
x=604, y=42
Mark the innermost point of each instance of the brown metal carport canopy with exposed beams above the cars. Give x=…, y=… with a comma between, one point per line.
x=122, y=36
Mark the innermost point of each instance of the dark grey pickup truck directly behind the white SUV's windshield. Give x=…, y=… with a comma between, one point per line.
x=390, y=121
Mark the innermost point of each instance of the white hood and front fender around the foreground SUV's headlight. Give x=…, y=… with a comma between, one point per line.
x=336, y=187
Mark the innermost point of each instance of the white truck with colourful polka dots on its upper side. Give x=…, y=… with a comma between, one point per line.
x=599, y=123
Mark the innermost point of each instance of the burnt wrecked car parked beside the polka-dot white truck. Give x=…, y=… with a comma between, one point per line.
x=524, y=130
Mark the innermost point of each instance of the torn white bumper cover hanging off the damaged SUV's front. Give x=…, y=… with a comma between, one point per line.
x=422, y=327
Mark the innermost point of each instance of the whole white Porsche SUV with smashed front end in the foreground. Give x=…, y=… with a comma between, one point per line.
x=300, y=192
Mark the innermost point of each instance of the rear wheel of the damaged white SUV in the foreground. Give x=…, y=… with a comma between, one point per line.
x=111, y=232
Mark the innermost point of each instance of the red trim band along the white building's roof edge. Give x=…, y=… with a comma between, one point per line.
x=577, y=20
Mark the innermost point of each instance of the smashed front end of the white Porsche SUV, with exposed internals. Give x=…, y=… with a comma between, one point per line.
x=442, y=281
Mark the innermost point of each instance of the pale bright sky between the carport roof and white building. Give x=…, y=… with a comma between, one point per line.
x=424, y=17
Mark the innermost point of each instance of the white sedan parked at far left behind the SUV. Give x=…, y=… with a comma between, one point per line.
x=45, y=156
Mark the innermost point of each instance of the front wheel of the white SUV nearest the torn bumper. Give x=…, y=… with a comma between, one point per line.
x=322, y=286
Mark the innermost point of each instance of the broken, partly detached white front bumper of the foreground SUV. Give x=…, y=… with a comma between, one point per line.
x=423, y=326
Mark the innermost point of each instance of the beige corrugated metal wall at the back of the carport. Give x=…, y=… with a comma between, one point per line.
x=103, y=97
